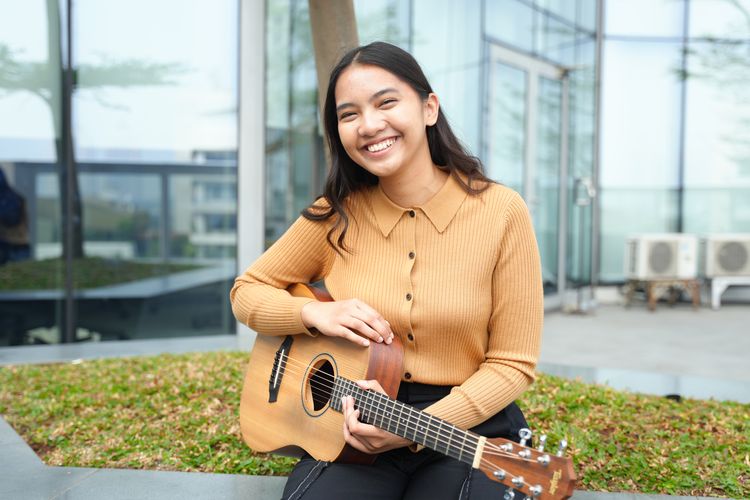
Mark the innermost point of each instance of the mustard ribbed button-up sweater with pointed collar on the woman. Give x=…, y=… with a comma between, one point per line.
x=458, y=279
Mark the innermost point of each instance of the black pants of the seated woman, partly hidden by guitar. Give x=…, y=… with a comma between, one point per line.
x=401, y=473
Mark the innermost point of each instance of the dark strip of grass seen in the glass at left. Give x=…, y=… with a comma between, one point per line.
x=88, y=272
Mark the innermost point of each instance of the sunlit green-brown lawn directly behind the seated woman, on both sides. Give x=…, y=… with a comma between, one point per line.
x=180, y=413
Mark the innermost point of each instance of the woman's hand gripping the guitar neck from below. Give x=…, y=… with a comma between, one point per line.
x=364, y=437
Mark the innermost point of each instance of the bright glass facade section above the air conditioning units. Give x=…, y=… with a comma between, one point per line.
x=675, y=133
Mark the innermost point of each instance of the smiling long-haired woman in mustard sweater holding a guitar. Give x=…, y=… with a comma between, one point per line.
x=412, y=240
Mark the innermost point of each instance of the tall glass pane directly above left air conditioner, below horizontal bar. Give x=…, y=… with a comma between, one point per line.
x=640, y=145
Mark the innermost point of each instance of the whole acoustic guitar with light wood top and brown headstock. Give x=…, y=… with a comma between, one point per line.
x=291, y=401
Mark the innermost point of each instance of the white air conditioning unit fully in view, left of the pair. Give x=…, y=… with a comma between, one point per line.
x=661, y=256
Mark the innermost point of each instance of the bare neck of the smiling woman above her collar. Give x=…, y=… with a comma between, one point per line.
x=414, y=188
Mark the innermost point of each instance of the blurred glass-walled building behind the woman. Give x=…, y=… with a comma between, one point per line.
x=160, y=146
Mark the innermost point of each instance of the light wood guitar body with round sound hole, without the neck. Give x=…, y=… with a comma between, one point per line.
x=301, y=418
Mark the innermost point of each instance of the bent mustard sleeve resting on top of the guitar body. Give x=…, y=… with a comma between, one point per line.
x=259, y=297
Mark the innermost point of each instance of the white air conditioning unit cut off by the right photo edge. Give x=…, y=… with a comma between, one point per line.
x=726, y=255
